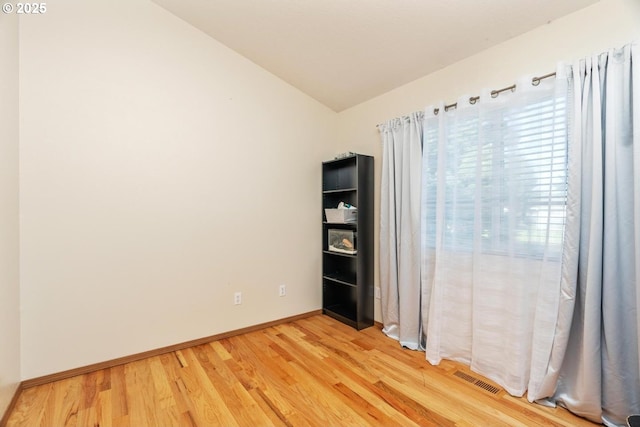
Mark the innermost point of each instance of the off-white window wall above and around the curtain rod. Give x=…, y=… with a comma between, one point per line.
x=606, y=24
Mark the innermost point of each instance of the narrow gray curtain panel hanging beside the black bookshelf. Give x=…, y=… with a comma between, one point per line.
x=400, y=229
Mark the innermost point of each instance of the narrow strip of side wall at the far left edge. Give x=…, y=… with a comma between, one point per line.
x=9, y=240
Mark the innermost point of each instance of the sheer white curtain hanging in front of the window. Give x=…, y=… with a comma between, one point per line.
x=494, y=191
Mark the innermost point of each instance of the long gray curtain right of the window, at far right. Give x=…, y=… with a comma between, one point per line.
x=600, y=374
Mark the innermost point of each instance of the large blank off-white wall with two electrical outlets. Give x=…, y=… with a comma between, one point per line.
x=160, y=173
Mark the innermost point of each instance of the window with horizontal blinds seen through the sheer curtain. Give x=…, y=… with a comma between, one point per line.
x=504, y=177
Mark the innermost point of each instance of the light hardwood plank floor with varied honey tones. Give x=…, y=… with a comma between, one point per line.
x=310, y=372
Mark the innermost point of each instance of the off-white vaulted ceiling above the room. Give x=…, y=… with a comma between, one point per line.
x=344, y=52
